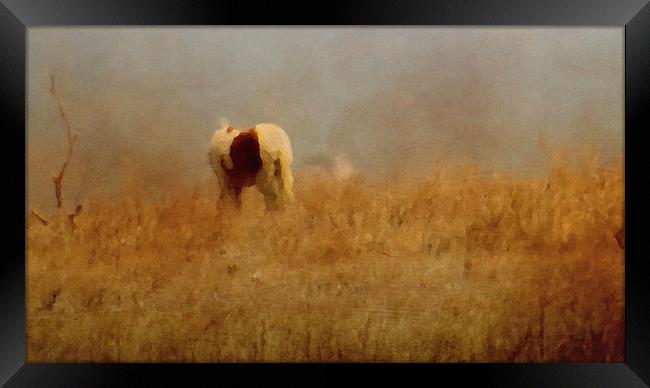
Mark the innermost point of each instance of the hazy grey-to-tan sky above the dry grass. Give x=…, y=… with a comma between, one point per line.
x=147, y=100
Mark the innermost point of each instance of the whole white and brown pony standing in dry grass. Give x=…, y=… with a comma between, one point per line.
x=260, y=156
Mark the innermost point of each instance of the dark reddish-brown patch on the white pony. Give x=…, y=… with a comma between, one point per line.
x=246, y=159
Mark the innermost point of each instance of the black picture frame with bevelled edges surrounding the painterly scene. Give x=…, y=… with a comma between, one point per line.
x=18, y=15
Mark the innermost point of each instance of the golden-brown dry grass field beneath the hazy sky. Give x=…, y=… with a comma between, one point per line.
x=459, y=266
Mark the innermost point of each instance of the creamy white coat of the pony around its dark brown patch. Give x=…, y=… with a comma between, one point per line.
x=274, y=179
